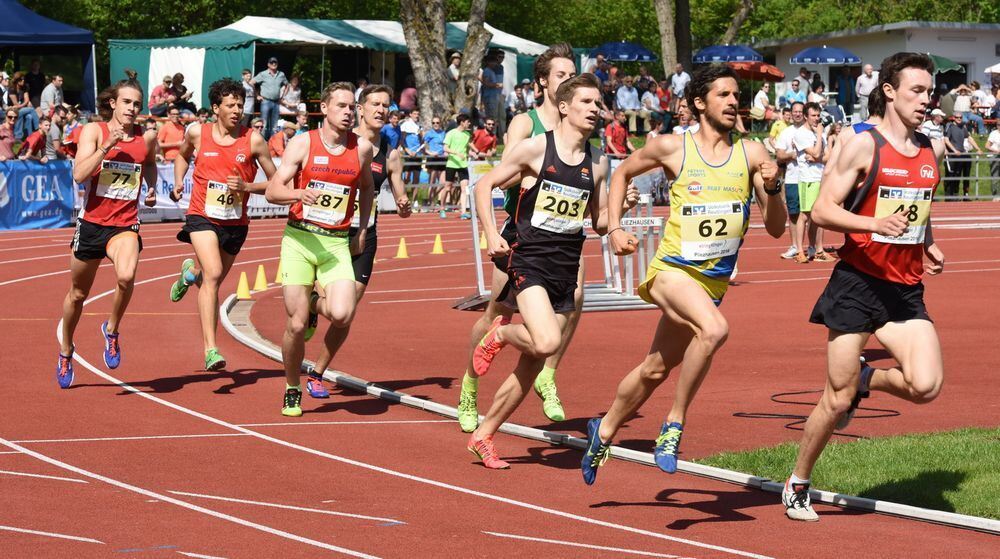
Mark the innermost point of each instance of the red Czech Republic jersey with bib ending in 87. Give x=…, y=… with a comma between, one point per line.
x=336, y=176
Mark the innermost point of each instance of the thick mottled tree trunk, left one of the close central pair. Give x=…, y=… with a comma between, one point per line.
x=423, y=27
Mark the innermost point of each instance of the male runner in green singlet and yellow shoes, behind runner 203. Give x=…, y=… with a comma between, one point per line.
x=552, y=68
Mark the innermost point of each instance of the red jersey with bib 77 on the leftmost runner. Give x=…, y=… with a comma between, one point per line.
x=112, y=196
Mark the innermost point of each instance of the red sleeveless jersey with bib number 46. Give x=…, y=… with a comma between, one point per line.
x=210, y=196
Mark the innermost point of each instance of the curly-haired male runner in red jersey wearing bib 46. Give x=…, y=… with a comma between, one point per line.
x=217, y=221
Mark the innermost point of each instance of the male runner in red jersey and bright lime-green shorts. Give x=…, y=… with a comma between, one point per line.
x=331, y=167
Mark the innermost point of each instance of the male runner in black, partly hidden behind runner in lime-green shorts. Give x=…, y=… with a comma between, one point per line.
x=373, y=108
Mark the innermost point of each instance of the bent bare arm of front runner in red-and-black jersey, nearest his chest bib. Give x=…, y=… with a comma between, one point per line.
x=852, y=166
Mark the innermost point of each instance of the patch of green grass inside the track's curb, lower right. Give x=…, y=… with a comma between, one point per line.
x=954, y=471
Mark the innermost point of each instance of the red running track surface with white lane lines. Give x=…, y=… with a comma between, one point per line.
x=203, y=465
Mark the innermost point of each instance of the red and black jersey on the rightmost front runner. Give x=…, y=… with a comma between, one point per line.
x=896, y=183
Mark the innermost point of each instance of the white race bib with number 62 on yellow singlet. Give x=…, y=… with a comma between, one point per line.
x=711, y=230
